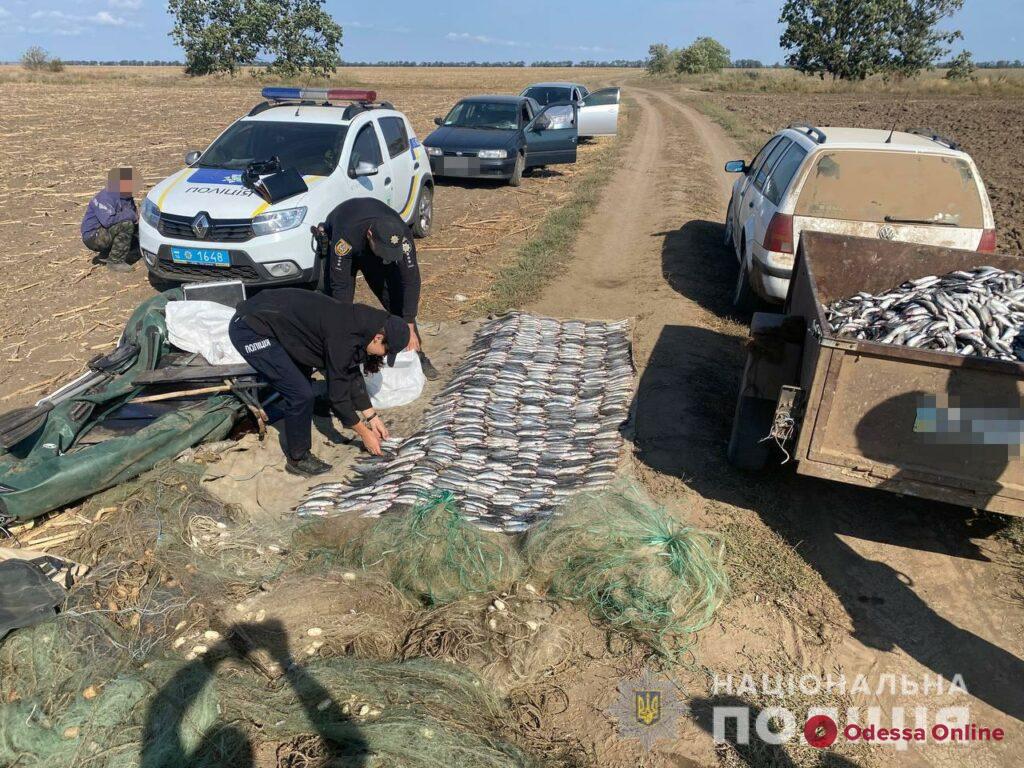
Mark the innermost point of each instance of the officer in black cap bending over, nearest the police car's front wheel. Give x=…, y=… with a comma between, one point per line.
x=367, y=236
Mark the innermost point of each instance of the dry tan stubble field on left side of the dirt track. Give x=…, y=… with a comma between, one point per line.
x=61, y=134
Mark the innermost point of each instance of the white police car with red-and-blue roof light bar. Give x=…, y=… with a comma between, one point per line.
x=204, y=224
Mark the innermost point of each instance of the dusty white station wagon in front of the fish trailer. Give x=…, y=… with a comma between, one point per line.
x=916, y=188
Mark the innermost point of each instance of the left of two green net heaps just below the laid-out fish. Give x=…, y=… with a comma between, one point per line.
x=432, y=553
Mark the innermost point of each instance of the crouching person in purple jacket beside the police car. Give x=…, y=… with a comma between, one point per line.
x=111, y=224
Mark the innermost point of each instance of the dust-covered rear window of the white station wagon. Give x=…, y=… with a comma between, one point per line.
x=894, y=188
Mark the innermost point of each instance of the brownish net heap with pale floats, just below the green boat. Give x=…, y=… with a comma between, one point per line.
x=159, y=549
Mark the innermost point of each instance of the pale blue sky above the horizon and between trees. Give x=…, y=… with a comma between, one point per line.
x=482, y=30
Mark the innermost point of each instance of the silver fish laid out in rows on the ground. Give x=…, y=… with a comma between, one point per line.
x=530, y=418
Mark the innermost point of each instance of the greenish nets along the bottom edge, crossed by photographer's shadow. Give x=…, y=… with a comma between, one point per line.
x=72, y=699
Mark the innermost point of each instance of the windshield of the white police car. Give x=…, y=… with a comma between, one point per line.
x=312, y=149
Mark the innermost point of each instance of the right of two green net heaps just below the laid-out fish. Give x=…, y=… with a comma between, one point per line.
x=635, y=567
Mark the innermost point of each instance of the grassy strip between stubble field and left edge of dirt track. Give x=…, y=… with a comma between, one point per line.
x=538, y=261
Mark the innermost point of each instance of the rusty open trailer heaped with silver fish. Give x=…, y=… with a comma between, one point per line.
x=894, y=366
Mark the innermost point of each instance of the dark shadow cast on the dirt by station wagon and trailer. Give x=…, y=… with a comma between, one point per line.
x=681, y=422
